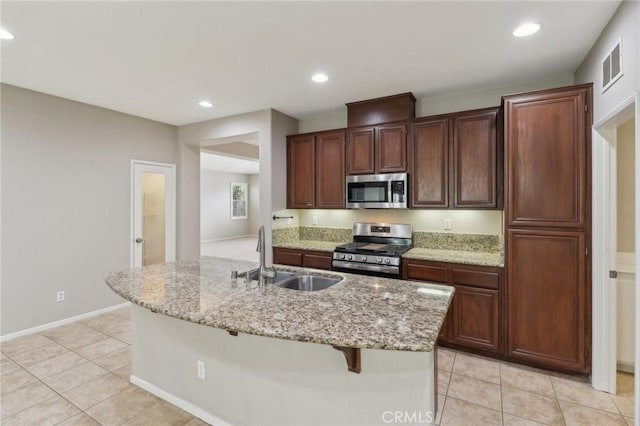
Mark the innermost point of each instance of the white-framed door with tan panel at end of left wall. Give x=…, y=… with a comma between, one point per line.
x=153, y=213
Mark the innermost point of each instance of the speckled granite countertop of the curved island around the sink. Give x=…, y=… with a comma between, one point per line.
x=359, y=312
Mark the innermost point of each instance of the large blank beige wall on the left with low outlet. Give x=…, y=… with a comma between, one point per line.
x=65, y=172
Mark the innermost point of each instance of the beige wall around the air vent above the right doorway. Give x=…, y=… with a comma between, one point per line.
x=625, y=23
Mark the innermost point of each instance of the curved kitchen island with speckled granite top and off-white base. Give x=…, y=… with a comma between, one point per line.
x=267, y=353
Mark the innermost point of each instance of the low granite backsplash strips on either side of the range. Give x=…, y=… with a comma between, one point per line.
x=432, y=240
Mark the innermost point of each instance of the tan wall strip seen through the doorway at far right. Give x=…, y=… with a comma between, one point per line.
x=625, y=152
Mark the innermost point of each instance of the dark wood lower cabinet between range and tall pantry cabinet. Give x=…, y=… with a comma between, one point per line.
x=475, y=315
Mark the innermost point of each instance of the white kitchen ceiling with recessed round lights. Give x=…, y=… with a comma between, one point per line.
x=158, y=59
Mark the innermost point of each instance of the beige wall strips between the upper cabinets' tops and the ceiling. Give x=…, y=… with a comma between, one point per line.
x=452, y=102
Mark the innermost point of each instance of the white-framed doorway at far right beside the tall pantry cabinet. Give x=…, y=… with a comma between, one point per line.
x=615, y=214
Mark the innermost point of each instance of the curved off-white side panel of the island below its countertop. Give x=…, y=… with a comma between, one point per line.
x=260, y=380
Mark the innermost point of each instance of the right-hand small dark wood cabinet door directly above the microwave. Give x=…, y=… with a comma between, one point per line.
x=391, y=148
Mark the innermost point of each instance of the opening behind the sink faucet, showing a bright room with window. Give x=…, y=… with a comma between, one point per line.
x=230, y=198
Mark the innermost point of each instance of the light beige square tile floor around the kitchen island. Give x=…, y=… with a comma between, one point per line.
x=77, y=374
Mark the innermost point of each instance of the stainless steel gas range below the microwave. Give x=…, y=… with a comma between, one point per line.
x=376, y=249
